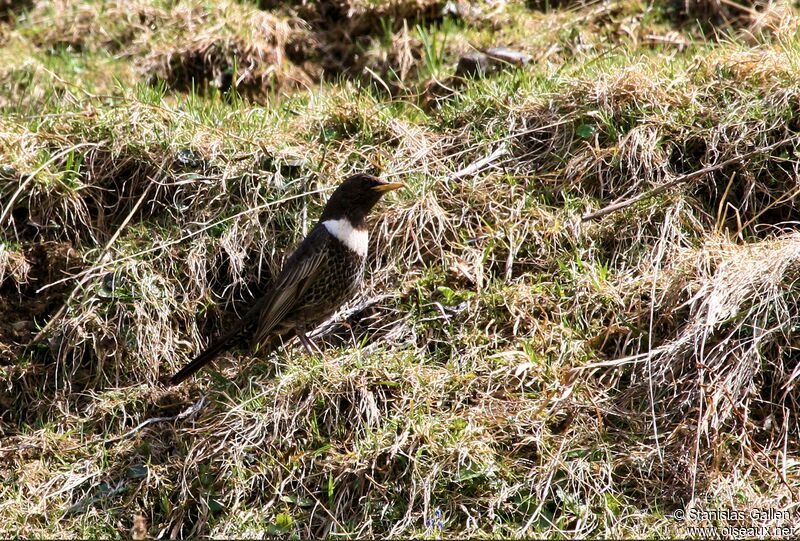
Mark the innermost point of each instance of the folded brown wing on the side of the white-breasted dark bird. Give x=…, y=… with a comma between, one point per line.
x=299, y=271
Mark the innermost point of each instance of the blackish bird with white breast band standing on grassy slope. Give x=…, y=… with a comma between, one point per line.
x=323, y=272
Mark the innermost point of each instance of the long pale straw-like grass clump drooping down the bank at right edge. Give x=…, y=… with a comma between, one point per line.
x=729, y=368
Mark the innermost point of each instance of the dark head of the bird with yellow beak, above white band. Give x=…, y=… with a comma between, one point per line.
x=355, y=197
